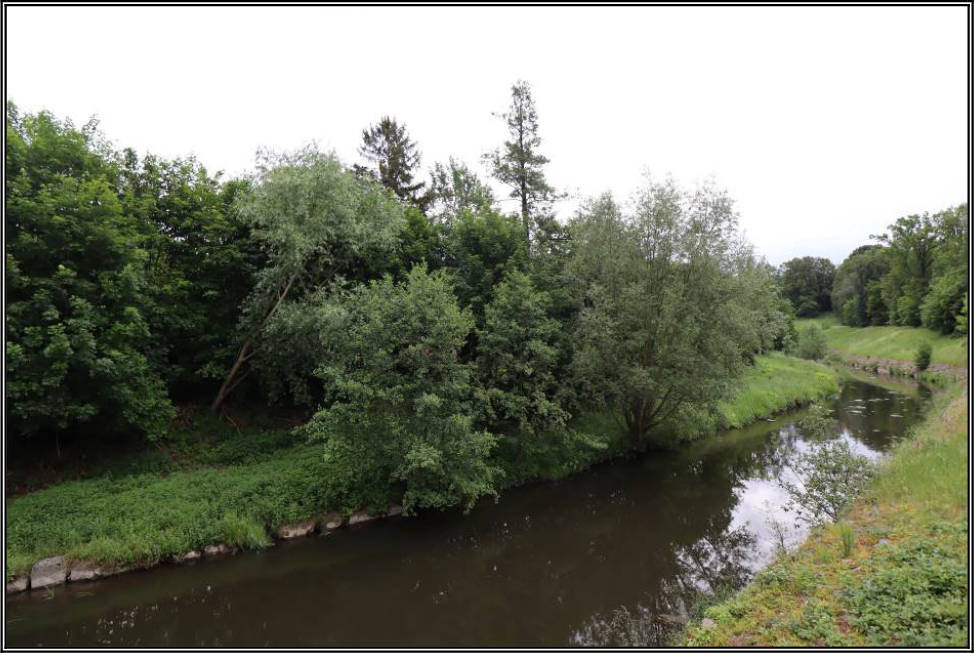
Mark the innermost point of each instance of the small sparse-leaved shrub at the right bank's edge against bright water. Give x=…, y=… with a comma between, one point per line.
x=828, y=477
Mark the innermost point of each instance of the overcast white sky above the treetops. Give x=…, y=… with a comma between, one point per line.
x=825, y=124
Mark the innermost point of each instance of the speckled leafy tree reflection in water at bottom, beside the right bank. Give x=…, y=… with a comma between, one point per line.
x=713, y=565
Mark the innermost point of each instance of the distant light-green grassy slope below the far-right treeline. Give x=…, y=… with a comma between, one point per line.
x=898, y=343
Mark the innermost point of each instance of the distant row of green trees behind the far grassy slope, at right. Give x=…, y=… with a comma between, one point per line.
x=915, y=275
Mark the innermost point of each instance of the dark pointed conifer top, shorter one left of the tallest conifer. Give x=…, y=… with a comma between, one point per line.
x=396, y=158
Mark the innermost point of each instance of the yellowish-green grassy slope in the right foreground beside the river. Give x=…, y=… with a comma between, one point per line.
x=905, y=582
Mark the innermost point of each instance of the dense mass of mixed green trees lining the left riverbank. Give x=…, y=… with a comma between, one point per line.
x=441, y=347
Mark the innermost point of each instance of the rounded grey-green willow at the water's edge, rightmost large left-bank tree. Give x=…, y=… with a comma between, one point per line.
x=668, y=320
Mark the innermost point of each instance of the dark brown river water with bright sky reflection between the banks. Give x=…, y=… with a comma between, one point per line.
x=550, y=564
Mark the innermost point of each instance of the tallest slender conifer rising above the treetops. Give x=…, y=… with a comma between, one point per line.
x=518, y=163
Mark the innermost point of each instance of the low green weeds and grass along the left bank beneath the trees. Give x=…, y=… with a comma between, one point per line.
x=140, y=518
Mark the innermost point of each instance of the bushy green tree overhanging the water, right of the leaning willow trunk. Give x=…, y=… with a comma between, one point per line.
x=402, y=405
